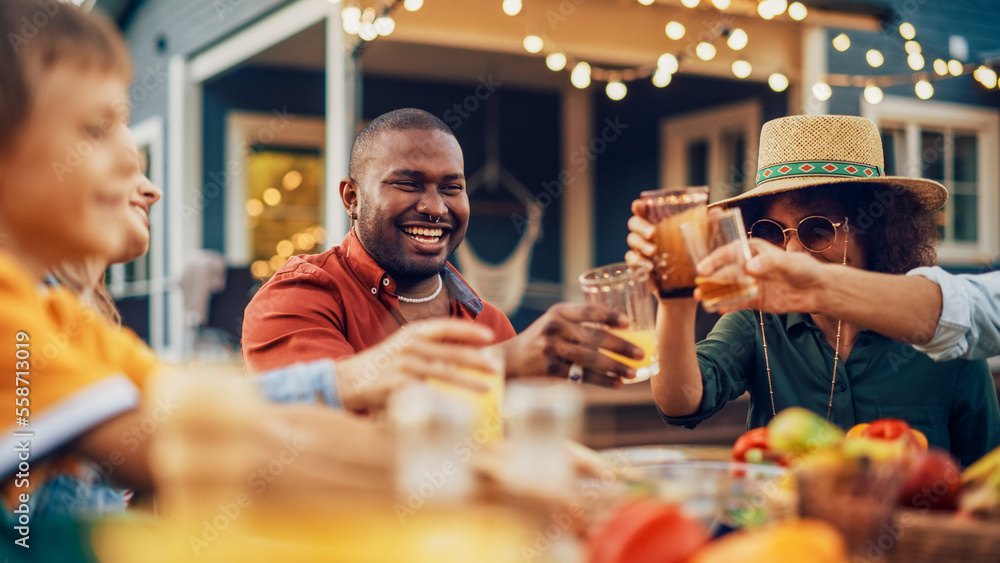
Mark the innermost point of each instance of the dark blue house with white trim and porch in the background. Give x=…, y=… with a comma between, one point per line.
x=246, y=109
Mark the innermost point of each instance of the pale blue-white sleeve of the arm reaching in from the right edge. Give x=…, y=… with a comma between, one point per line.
x=969, y=326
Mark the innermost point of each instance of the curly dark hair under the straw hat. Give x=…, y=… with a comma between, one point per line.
x=896, y=232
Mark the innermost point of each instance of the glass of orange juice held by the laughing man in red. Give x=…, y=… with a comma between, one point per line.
x=618, y=289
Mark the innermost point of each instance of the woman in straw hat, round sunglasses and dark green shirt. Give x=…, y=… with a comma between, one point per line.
x=821, y=190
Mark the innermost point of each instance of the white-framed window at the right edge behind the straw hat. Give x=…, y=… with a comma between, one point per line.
x=956, y=145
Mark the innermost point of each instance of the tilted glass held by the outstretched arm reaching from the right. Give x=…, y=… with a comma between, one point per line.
x=723, y=235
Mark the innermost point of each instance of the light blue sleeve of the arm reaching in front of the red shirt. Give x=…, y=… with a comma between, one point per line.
x=313, y=382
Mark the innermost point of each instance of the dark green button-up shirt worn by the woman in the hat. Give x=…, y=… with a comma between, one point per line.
x=954, y=403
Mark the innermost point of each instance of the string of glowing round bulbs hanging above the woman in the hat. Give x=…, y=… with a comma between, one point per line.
x=583, y=72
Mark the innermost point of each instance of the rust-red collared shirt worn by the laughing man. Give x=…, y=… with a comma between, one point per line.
x=337, y=304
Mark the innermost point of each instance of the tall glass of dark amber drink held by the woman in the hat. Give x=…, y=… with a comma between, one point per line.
x=667, y=209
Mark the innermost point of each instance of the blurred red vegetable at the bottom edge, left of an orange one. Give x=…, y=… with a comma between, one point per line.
x=644, y=531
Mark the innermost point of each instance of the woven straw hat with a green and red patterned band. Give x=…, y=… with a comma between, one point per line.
x=819, y=150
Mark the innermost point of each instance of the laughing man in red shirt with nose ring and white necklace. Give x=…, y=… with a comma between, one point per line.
x=409, y=209
